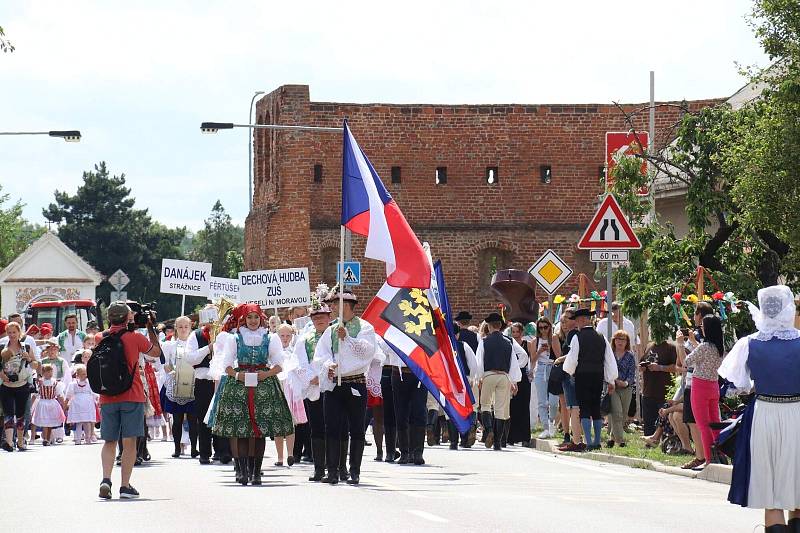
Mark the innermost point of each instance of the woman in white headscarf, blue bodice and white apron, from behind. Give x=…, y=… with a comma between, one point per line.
x=766, y=471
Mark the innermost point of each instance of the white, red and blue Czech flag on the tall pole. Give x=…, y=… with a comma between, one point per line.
x=369, y=210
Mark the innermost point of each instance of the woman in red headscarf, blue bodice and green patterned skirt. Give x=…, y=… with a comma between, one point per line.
x=251, y=404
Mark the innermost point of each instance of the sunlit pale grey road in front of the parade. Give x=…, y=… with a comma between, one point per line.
x=468, y=490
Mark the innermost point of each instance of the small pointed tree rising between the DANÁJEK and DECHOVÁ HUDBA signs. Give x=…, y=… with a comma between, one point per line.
x=219, y=236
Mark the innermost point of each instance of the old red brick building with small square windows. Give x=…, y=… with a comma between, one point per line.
x=470, y=223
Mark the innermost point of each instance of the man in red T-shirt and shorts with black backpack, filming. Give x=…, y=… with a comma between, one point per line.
x=122, y=414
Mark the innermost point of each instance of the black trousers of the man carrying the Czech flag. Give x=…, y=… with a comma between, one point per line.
x=344, y=410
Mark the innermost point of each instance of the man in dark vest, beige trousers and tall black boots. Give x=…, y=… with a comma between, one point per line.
x=500, y=359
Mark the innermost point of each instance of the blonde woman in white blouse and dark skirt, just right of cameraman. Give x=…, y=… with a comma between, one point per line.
x=174, y=351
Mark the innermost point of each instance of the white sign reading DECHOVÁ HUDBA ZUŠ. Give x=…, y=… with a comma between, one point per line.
x=285, y=287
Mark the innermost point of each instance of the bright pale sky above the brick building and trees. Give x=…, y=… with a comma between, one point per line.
x=138, y=78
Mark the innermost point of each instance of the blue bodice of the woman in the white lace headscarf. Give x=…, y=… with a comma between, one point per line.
x=775, y=366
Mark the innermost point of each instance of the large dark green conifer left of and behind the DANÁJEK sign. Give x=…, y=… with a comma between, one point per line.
x=100, y=223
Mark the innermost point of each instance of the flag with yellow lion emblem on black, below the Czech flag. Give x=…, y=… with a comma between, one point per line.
x=413, y=324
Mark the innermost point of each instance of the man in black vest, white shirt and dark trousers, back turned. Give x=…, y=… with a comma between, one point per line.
x=592, y=362
